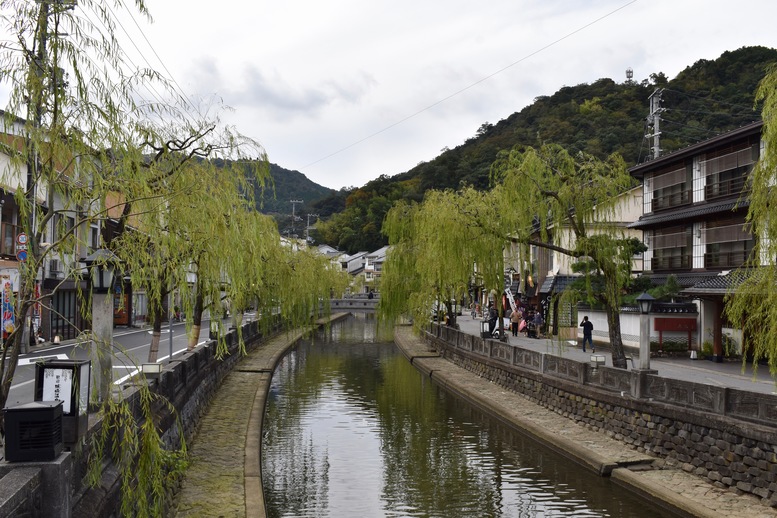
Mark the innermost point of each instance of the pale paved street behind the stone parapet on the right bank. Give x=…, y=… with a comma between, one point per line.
x=726, y=374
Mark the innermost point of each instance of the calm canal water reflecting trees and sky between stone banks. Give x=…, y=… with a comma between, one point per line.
x=353, y=430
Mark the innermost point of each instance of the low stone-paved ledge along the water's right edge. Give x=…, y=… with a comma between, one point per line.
x=664, y=483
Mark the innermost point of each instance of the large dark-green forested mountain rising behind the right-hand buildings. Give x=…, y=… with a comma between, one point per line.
x=707, y=98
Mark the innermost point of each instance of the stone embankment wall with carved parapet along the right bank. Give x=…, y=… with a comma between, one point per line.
x=723, y=434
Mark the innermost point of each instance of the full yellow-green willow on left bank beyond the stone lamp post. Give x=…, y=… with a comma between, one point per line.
x=185, y=234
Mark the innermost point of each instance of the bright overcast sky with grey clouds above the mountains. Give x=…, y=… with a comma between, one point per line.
x=347, y=90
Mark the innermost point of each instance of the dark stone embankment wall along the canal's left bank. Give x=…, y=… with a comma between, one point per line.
x=56, y=489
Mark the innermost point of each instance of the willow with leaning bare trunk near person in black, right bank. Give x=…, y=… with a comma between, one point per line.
x=567, y=203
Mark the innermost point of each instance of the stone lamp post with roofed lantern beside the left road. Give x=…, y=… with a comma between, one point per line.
x=101, y=265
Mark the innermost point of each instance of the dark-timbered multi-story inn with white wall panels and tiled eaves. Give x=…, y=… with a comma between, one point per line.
x=695, y=203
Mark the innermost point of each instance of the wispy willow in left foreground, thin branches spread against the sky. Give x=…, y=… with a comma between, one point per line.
x=81, y=139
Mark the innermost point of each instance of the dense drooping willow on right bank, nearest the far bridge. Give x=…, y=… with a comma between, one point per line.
x=437, y=247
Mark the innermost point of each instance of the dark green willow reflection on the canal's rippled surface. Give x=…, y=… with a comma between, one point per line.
x=427, y=466
